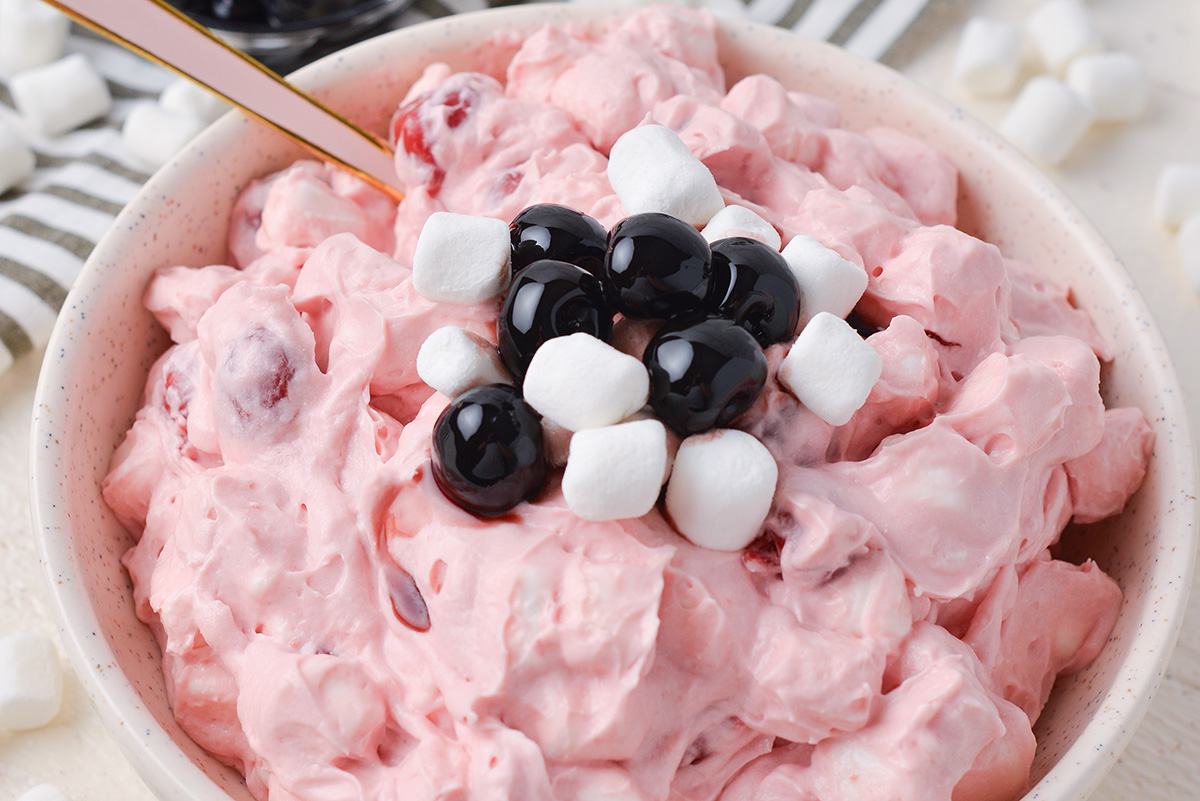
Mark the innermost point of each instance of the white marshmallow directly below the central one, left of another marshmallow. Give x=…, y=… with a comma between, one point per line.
x=616, y=472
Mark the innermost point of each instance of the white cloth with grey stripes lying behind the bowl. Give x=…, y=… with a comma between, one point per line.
x=50, y=224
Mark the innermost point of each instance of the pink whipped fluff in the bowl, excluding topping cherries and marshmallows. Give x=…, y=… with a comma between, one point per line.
x=334, y=628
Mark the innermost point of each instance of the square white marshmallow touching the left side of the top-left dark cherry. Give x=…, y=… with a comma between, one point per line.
x=463, y=258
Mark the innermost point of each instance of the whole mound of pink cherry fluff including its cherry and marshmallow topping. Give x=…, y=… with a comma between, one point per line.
x=668, y=441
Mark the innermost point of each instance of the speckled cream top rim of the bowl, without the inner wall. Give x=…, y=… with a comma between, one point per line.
x=172, y=775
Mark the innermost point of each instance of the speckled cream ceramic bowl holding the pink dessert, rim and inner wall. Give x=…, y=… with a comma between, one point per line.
x=105, y=344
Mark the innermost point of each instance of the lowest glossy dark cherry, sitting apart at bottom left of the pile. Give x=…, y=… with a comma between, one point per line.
x=488, y=450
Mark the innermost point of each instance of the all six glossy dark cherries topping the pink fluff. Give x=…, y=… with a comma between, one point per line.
x=722, y=304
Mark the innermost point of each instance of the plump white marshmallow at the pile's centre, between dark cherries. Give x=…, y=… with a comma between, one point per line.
x=580, y=382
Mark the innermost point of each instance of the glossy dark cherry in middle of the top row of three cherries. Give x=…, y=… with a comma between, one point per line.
x=657, y=267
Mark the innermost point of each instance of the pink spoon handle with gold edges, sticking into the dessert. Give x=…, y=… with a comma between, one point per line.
x=164, y=34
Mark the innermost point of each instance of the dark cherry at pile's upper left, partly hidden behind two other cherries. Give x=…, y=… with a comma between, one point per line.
x=551, y=232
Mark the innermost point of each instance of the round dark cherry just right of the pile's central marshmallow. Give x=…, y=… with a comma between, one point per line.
x=705, y=372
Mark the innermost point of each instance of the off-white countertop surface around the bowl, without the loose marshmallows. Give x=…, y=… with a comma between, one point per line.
x=1112, y=177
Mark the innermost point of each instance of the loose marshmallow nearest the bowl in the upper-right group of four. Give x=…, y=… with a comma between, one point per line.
x=1047, y=121
